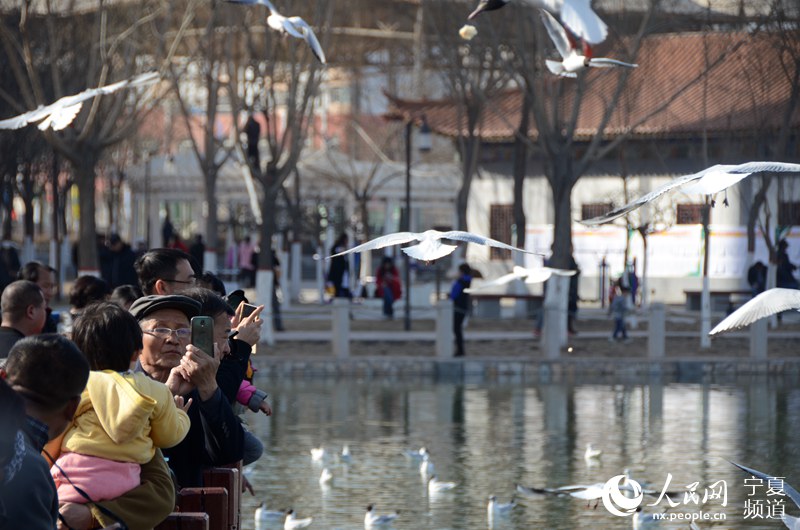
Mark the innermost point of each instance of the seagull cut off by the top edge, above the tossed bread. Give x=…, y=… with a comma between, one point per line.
x=577, y=15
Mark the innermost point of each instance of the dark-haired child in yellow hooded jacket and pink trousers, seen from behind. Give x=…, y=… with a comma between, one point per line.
x=122, y=417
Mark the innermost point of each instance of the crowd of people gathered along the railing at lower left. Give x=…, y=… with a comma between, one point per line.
x=105, y=418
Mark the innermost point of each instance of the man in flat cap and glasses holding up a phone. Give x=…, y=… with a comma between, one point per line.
x=215, y=436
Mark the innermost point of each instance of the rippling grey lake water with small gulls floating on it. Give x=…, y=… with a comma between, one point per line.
x=488, y=437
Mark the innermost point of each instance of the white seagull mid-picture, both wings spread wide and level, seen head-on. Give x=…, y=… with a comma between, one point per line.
x=430, y=245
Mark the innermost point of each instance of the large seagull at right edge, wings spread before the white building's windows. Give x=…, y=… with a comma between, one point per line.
x=707, y=182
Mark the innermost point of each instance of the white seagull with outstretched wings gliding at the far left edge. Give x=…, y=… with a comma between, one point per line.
x=60, y=114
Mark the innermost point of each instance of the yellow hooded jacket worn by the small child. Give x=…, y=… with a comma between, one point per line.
x=135, y=414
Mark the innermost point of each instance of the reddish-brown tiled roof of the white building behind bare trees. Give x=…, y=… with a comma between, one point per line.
x=749, y=89
